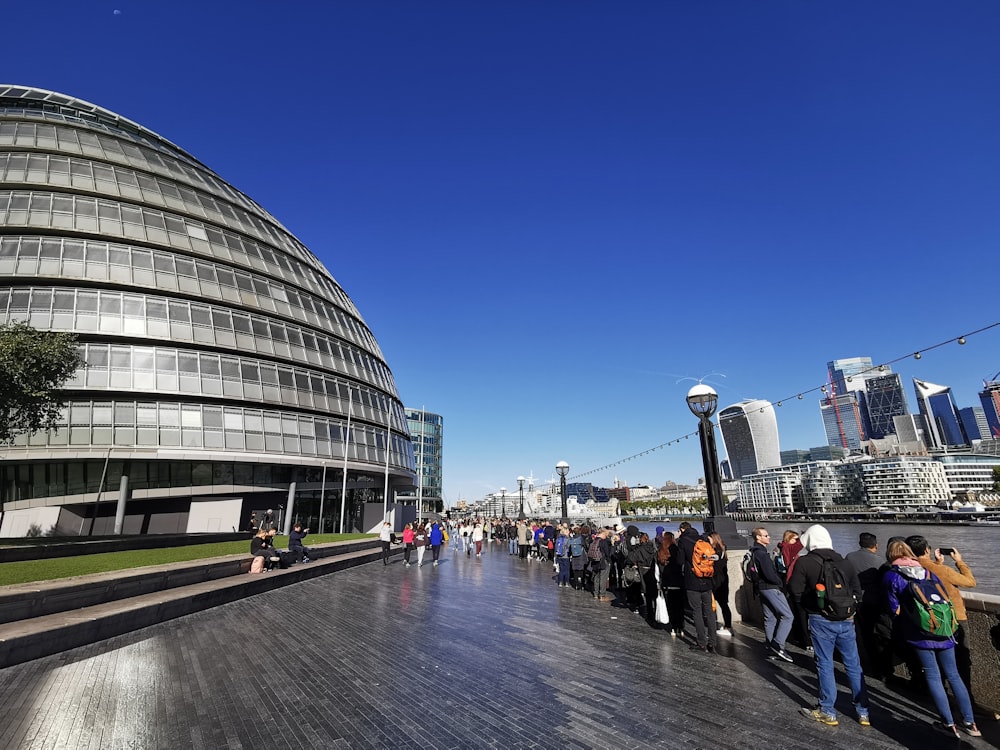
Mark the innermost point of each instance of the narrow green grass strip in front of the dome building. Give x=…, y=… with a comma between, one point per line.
x=29, y=571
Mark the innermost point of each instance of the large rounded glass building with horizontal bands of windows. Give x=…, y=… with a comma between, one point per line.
x=226, y=370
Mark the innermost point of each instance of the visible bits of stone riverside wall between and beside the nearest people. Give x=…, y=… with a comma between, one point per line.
x=982, y=630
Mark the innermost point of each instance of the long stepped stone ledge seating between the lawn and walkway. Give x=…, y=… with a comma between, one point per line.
x=43, y=618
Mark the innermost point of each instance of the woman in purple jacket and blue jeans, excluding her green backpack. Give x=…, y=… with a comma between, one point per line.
x=935, y=652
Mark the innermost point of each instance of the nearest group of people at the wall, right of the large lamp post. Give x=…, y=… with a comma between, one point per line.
x=875, y=611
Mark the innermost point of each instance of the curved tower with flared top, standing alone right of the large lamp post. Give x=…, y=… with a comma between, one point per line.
x=750, y=432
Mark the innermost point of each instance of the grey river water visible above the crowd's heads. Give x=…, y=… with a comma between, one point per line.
x=979, y=545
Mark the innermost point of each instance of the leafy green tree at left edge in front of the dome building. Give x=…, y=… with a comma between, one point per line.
x=34, y=365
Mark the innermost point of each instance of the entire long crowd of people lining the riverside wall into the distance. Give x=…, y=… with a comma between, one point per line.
x=865, y=606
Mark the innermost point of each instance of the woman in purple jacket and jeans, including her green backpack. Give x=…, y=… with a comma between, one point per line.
x=909, y=589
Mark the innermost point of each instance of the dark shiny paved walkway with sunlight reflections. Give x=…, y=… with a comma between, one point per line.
x=477, y=653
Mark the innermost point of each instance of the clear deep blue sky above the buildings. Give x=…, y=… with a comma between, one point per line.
x=550, y=212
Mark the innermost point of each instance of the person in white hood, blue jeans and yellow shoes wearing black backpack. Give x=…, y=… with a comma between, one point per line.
x=828, y=634
